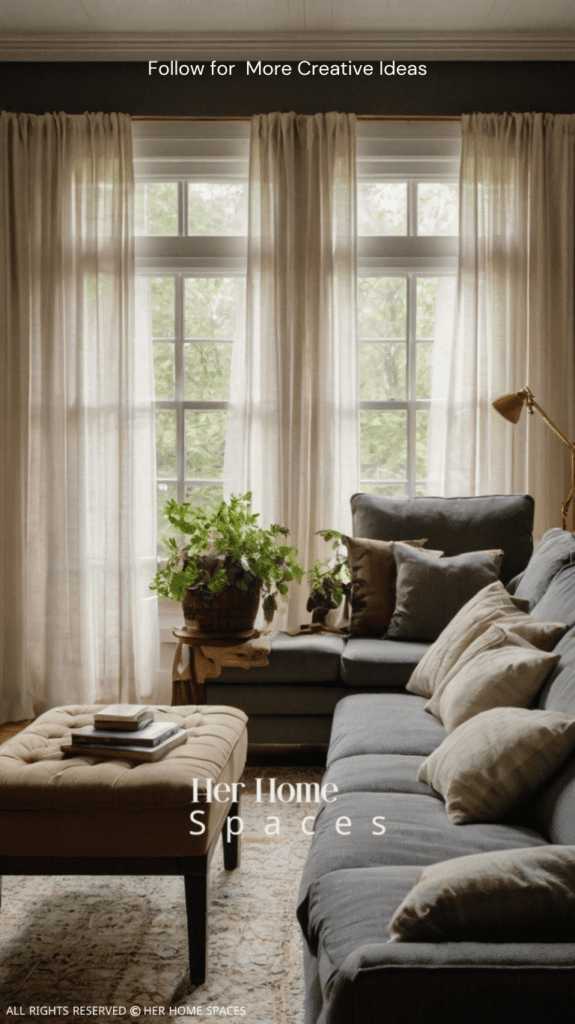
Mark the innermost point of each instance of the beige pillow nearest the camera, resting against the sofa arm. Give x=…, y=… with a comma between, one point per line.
x=522, y=895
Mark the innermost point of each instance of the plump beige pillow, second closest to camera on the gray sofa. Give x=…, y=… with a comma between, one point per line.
x=498, y=759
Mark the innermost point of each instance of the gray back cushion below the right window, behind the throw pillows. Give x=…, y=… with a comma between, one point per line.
x=453, y=525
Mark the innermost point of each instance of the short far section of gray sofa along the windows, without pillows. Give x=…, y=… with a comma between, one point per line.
x=293, y=699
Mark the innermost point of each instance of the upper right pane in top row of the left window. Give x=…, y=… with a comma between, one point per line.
x=217, y=208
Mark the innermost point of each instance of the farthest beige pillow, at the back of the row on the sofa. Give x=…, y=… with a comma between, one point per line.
x=493, y=605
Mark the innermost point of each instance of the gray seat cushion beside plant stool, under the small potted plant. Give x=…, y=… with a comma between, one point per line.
x=300, y=659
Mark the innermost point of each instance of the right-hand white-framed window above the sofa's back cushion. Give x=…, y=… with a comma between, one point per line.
x=408, y=250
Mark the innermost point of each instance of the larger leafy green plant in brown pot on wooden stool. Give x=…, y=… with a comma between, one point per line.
x=226, y=566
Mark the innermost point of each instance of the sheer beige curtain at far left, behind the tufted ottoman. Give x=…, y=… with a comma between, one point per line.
x=77, y=462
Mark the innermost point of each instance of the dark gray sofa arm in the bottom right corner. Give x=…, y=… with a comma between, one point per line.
x=448, y=984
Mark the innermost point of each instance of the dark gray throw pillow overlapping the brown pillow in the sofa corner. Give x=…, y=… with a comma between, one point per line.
x=431, y=591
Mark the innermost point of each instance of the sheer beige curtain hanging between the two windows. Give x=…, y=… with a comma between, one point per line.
x=293, y=428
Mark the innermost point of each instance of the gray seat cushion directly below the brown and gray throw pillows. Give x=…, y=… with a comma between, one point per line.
x=367, y=662
